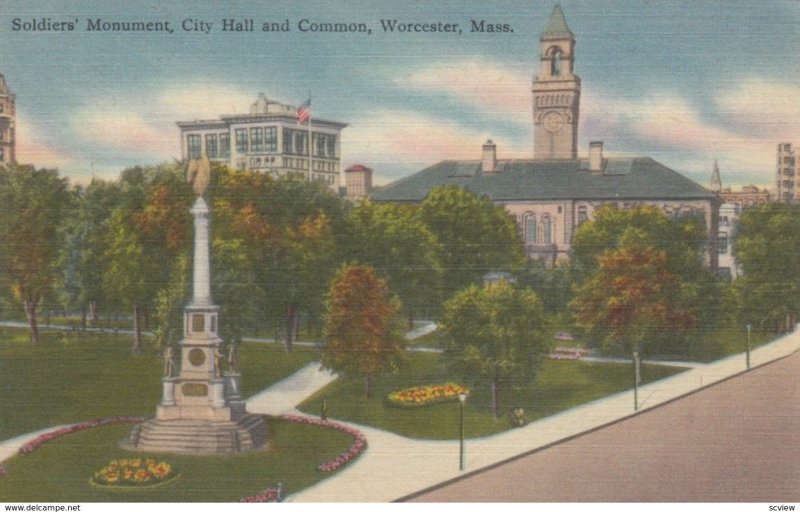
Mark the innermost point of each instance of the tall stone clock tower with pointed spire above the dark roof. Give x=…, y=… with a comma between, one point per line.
x=556, y=93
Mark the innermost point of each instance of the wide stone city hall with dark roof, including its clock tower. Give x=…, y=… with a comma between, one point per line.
x=555, y=192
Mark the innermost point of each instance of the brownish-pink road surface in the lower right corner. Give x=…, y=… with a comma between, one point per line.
x=733, y=442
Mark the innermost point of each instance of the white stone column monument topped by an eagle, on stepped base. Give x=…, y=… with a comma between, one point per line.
x=201, y=410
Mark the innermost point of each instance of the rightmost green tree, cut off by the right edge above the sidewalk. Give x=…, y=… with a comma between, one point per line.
x=767, y=246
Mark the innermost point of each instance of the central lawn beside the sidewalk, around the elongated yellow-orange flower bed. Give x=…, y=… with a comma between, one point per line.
x=560, y=385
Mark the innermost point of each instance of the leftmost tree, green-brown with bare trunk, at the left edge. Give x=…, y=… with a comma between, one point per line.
x=34, y=203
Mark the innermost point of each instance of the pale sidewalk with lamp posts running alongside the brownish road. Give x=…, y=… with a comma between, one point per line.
x=393, y=467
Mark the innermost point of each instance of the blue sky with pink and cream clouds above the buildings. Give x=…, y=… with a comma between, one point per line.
x=684, y=82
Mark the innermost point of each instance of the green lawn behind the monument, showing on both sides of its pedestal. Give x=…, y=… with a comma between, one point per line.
x=74, y=376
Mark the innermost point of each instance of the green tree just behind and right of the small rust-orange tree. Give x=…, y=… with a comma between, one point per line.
x=393, y=240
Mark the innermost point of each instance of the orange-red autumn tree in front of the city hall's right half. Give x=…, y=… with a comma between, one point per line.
x=632, y=297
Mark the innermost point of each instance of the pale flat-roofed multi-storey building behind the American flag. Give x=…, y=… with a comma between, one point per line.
x=269, y=139
